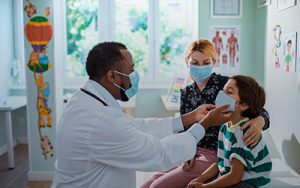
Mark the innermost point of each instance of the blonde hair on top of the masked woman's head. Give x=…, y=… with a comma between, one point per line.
x=203, y=46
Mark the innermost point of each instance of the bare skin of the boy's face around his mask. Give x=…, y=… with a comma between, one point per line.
x=231, y=90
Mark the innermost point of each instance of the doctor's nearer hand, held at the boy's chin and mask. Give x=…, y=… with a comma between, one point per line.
x=216, y=117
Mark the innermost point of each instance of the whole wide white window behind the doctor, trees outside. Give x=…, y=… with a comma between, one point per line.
x=156, y=32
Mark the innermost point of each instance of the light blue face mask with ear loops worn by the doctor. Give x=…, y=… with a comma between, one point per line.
x=130, y=92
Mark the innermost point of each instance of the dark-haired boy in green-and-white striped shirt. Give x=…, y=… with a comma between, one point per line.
x=239, y=165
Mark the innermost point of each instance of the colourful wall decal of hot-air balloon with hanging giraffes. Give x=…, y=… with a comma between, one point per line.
x=38, y=31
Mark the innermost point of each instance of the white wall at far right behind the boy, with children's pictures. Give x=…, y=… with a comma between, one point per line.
x=283, y=98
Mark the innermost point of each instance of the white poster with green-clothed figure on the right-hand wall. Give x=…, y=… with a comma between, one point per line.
x=289, y=43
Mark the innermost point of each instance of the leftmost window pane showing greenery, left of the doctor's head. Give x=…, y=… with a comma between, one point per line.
x=82, y=34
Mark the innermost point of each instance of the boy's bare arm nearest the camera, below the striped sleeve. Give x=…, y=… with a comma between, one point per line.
x=231, y=178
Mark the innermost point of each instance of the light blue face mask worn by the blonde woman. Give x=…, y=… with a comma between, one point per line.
x=200, y=73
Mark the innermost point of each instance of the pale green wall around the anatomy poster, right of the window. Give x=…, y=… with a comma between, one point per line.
x=248, y=23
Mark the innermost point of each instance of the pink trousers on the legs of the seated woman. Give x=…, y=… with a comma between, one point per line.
x=179, y=178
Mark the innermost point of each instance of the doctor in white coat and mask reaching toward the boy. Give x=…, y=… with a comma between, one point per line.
x=100, y=146
